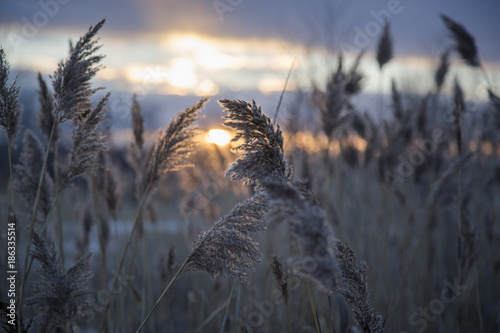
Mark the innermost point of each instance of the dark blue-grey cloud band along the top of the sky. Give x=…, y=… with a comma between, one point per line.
x=417, y=28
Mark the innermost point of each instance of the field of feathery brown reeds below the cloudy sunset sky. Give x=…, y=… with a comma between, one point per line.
x=364, y=224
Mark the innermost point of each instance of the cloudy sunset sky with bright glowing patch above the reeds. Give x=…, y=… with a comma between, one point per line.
x=206, y=47
